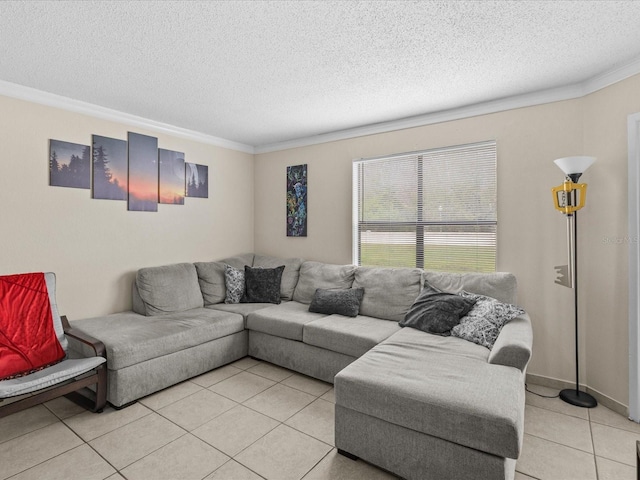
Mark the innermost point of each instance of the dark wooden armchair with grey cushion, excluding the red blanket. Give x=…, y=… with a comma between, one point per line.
x=70, y=377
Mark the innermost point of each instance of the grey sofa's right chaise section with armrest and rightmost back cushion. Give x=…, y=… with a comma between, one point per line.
x=435, y=407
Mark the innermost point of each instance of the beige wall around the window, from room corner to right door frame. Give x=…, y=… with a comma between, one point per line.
x=531, y=234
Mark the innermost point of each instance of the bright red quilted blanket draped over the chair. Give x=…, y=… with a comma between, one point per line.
x=28, y=339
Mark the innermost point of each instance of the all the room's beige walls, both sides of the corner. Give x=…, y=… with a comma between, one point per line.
x=95, y=246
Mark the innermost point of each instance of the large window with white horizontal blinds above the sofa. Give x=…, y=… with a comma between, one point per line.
x=434, y=209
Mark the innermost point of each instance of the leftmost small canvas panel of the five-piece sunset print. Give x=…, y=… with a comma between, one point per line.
x=69, y=164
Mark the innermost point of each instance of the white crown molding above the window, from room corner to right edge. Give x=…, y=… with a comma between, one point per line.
x=540, y=97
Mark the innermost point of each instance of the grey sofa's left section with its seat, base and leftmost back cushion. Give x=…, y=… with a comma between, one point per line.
x=170, y=337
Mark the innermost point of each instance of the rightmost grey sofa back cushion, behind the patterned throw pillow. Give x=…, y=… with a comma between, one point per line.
x=500, y=285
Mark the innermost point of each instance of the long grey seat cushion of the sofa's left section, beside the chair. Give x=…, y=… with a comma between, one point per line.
x=130, y=338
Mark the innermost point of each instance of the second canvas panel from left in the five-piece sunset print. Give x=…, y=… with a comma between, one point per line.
x=110, y=168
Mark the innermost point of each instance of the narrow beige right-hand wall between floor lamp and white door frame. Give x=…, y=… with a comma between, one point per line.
x=605, y=238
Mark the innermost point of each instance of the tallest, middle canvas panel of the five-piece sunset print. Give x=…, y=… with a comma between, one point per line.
x=143, y=173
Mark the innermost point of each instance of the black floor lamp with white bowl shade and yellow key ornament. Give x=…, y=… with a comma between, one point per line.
x=569, y=198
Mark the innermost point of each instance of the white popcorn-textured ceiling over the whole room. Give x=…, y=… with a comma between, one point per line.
x=263, y=72
